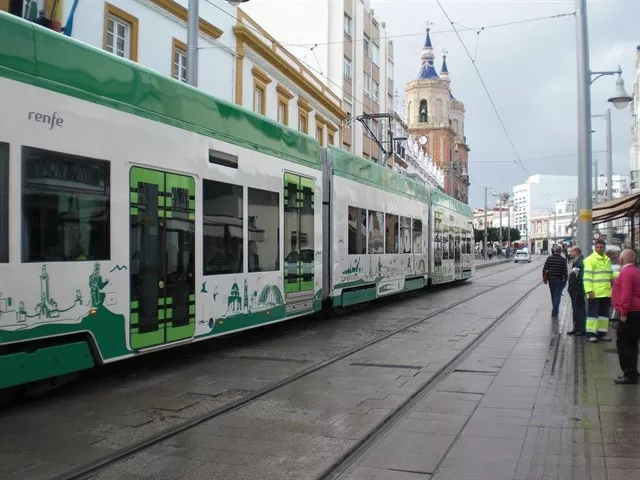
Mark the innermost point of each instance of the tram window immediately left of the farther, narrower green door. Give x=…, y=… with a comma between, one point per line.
x=264, y=230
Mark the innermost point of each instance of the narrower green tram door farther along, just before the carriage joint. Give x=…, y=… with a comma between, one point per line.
x=299, y=248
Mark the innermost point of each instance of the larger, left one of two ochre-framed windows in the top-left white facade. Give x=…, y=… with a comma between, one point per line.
x=120, y=33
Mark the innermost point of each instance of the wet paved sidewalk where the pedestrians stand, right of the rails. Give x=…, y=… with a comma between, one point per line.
x=528, y=403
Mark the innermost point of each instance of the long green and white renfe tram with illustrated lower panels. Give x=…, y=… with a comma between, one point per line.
x=138, y=213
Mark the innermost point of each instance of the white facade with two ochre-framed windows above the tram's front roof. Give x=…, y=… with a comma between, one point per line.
x=154, y=33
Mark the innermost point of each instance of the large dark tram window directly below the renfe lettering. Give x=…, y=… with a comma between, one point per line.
x=65, y=207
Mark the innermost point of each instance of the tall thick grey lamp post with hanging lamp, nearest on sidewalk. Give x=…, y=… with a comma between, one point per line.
x=620, y=100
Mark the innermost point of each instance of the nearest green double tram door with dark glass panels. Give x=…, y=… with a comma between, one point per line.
x=162, y=250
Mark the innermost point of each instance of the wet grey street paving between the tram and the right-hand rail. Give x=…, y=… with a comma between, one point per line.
x=84, y=422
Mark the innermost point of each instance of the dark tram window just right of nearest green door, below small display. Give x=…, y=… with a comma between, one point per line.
x=222, y=228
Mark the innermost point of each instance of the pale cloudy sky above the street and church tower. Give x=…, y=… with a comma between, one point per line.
x=531, y=74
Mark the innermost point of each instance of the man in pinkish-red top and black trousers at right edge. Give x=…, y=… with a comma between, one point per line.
x=626, y=300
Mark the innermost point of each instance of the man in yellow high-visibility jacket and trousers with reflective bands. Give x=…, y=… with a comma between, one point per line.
x=597, y=279
